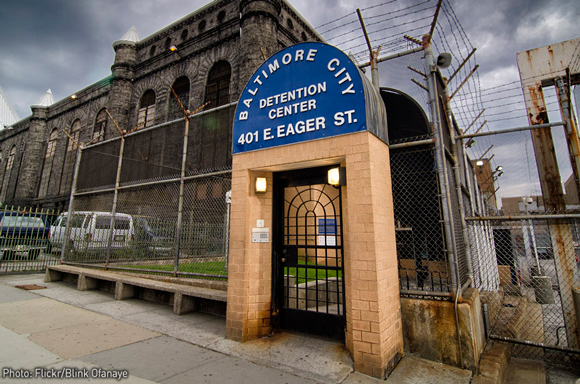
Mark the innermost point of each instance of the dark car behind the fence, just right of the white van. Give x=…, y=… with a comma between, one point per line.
x=153, y=236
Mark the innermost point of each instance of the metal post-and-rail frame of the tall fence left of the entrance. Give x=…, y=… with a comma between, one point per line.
x=105, y=259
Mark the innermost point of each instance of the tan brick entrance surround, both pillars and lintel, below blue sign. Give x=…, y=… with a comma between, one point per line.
x=373, y=328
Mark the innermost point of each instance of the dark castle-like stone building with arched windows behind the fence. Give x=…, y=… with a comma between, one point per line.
x=215, y=51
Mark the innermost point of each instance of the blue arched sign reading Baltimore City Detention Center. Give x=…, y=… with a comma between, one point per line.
x=305, y=92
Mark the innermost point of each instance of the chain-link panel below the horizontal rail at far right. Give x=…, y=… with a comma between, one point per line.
x=526, y=278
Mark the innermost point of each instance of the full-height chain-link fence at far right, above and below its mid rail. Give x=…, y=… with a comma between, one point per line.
x=524, y=254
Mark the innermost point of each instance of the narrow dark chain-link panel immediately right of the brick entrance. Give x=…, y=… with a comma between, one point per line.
x=423, y=263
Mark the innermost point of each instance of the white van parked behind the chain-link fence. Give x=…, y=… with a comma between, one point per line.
x=91, y=231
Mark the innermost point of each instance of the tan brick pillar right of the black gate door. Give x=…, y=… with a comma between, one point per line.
x=374, y=330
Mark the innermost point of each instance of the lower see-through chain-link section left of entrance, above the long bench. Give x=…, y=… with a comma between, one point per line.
x=145, y=236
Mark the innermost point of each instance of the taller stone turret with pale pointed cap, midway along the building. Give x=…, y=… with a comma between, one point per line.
x=123, y=75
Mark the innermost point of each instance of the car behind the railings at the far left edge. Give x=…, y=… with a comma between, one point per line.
x=22, y=234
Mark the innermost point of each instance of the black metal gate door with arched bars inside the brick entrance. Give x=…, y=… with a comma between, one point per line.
x=309, y=272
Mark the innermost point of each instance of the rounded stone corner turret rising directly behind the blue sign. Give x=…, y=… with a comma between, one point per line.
x=259, y=31
